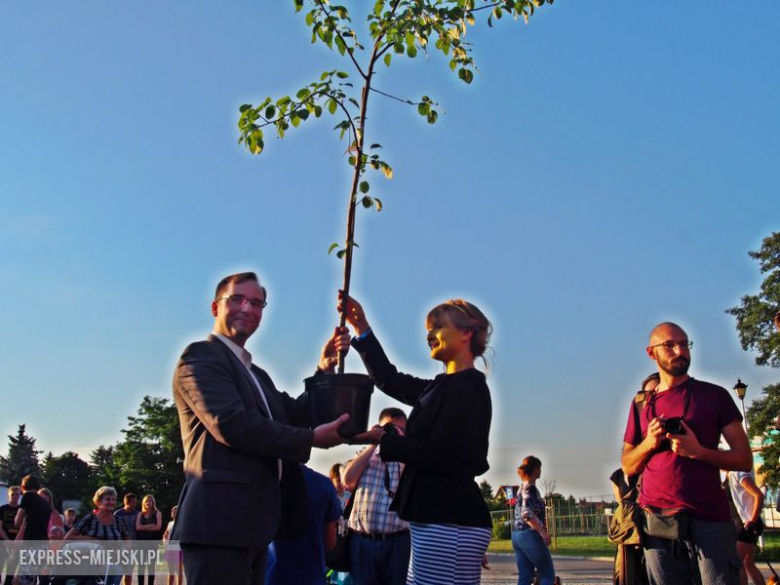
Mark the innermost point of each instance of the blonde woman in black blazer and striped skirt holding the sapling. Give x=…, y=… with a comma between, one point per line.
x=446, y=442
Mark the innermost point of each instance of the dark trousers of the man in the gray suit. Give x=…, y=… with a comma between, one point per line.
x=222, y=565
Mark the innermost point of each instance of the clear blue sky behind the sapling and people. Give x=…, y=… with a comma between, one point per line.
x=609, y=168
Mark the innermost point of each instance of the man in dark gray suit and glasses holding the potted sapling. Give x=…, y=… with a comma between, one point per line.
x=237, y=432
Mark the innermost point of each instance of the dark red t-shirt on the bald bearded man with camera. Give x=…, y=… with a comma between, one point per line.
x=672, y=481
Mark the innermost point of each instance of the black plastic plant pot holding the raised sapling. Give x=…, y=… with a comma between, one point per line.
x=331, y=395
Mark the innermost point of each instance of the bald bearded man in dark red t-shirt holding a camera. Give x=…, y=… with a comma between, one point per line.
x=672, y=438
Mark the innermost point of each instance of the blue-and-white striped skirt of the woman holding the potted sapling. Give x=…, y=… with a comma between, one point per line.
x=447, y=554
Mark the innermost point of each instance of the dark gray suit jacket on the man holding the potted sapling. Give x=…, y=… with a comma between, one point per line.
x=231, y=495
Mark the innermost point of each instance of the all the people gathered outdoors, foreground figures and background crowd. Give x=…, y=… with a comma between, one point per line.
x=406, y=508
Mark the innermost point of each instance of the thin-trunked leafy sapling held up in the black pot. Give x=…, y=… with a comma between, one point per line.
x=395, y=29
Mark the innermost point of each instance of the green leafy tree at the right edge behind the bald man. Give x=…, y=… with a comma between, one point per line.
x=758, y=333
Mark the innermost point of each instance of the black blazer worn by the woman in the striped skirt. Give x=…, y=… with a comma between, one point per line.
x=446, y=441
